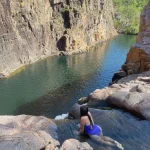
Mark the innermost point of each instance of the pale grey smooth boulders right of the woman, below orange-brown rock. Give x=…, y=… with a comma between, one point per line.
x=131, y=93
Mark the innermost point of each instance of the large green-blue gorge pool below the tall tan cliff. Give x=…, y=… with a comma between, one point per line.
x=51, y=86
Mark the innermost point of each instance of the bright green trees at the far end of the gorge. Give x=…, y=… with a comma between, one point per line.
x=127, y=15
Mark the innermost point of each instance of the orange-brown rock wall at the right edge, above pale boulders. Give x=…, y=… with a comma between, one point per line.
x=138, y=58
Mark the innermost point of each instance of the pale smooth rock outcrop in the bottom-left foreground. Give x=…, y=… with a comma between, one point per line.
x=33, y=133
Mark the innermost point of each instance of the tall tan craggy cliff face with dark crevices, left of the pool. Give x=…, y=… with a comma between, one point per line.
x=31, y=30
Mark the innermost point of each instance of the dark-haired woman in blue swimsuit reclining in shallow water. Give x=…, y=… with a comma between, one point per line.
x=88, y=127
